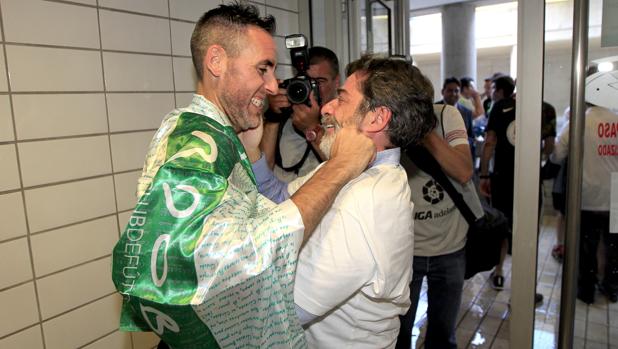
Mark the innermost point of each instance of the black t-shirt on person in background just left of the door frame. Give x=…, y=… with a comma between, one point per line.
x=502, y=122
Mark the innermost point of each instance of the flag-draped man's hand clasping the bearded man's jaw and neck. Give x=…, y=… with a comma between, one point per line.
x=352, y=150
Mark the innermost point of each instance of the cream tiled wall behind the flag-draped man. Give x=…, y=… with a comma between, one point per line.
x=88, y=83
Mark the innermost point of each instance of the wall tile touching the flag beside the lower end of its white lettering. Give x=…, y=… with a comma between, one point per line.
x=74, y=287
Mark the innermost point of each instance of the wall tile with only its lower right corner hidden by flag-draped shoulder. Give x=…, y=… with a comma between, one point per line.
x=138, y=111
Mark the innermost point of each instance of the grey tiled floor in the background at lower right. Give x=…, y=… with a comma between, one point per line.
x=484, y=313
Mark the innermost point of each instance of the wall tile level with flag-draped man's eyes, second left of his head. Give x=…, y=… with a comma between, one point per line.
x=135, y=72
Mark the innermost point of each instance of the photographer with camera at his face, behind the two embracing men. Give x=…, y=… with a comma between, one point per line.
x=290, y=132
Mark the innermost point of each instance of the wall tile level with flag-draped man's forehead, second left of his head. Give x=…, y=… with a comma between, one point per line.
x=130, y=32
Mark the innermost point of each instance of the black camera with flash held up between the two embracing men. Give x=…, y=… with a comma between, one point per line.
x=300, y=87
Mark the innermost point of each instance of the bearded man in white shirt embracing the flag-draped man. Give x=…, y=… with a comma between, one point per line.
x=353, y=274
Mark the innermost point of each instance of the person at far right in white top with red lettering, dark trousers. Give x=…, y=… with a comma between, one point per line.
x=600, y=161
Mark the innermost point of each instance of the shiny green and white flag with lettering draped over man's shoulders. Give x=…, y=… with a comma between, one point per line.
x=204, y=261
